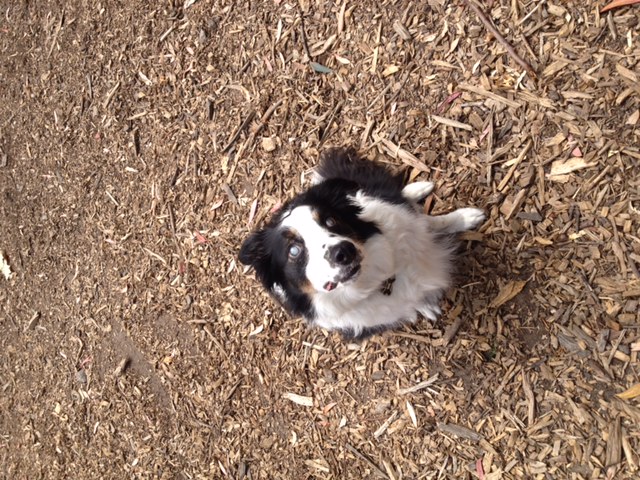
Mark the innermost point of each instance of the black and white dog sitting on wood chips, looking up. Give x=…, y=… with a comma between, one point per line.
x=354, y=253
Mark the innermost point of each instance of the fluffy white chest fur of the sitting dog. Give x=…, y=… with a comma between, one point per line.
x=406, y=249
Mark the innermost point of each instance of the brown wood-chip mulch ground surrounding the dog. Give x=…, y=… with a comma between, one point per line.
x=141, y=141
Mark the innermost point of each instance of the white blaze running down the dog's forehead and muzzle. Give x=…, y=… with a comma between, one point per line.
x=317, y=240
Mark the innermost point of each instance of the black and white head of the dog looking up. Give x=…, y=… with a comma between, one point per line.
x=315, y=243
